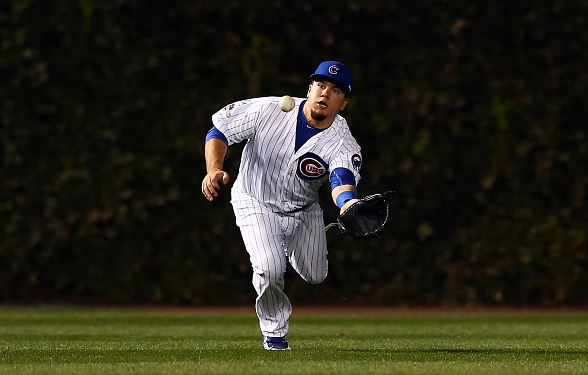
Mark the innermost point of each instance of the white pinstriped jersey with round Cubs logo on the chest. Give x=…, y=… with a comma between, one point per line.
x=271, y=170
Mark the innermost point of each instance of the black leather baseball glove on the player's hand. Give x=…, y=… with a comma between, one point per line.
x=367, y=217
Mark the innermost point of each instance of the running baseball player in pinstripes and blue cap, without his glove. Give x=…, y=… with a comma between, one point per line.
x=288, y=155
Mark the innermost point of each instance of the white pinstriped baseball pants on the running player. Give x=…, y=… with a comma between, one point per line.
x=272, y=239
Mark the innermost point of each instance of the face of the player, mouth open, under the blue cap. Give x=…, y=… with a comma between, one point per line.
x=326, y=100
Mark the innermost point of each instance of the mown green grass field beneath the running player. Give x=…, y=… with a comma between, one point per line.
x=53, y=340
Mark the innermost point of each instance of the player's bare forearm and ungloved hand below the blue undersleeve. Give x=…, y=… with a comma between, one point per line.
x=214, y=153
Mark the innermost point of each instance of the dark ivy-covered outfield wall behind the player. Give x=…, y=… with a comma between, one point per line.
x=474, y=111
